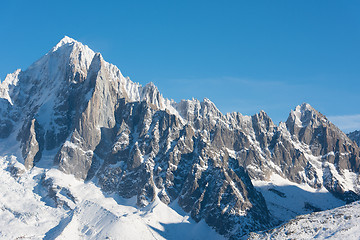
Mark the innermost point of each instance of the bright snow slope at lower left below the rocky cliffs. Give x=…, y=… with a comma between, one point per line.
x=29, y=209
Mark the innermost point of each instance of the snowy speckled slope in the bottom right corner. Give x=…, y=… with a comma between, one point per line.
x=338, y=223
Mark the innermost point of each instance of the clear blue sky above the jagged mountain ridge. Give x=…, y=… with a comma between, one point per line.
x=245, y=56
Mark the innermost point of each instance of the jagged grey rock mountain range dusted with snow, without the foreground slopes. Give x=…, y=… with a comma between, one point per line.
x=74, y=111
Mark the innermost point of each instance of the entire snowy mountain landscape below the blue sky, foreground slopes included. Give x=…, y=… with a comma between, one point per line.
x=85, y=153
